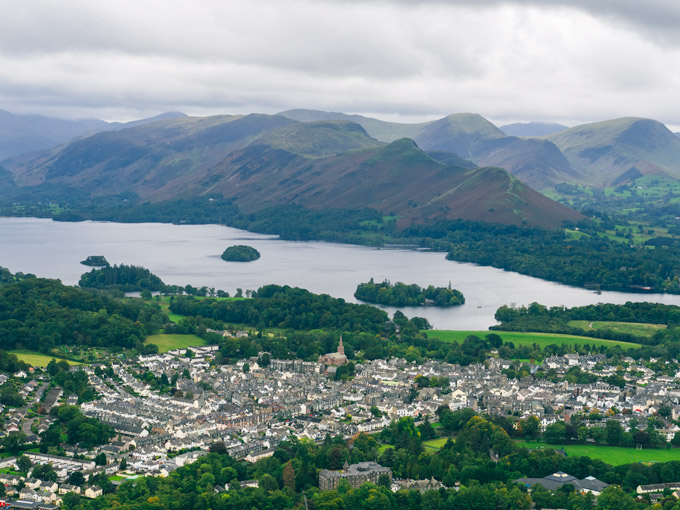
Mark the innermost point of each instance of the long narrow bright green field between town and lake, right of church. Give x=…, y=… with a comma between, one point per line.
x=521, y=338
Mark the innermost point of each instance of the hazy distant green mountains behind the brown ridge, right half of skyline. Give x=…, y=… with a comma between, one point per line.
x=601, y=154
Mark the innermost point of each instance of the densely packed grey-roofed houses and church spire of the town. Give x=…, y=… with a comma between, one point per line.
x=252, y=409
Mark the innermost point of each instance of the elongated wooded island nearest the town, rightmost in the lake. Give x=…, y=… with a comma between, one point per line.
x=401, y=294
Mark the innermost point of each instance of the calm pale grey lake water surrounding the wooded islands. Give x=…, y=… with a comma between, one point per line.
x=190, y=254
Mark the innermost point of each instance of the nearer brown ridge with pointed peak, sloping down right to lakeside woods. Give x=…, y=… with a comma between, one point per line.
x=398, y=179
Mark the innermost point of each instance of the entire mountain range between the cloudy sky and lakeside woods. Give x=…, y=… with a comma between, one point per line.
x=459, y=166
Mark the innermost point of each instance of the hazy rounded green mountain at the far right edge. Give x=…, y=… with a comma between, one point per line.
x=619, y=151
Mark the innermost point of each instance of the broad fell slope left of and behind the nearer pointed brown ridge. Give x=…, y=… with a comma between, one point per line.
x=154, y=160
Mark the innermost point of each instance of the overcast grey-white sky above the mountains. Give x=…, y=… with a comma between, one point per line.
x=543, y=60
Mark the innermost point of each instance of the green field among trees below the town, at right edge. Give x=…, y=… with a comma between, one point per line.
x=615, y=455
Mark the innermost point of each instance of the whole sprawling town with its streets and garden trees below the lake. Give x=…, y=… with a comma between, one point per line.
x=249, y=408
